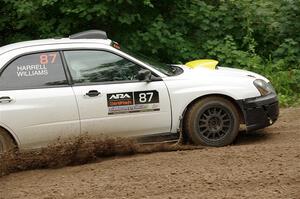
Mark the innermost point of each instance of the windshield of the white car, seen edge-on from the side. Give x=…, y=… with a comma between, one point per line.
x=167, y=69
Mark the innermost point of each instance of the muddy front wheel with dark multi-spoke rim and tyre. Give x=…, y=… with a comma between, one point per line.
x=212, y=121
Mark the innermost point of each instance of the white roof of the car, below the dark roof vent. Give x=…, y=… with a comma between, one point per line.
x=42, y=42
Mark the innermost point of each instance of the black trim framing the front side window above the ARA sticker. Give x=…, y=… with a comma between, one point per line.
x=101, y=83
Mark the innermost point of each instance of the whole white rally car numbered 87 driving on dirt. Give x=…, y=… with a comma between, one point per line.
x=58, y=88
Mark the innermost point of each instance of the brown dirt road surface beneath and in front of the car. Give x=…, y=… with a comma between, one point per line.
x=264, y=164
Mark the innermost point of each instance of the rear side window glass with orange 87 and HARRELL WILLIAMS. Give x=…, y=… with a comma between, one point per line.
x=34, y=71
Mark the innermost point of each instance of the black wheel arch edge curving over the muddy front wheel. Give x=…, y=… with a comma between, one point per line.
x=232, y=100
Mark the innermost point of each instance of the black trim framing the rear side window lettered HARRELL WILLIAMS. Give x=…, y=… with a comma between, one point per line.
x=68, y=84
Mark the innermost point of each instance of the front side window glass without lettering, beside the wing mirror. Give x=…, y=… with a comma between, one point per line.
x=87, y=66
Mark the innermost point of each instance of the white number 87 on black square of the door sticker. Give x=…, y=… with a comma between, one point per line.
x=146, y=97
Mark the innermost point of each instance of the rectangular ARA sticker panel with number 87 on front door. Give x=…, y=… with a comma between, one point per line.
x=130, y=102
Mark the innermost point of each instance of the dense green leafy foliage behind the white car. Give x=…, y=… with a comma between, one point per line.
x=262, y=35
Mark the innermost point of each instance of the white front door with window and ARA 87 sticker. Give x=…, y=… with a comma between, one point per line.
x=110, y=98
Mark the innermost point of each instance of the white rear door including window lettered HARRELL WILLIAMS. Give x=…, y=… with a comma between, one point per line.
x=36, y=102
